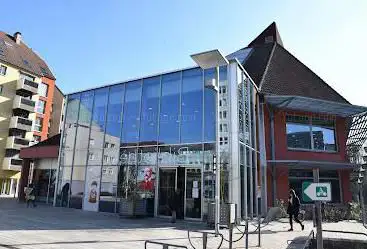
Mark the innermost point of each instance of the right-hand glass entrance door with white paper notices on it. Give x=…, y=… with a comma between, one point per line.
x=193, y=194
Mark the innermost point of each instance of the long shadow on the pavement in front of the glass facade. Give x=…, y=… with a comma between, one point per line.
x=16, y=216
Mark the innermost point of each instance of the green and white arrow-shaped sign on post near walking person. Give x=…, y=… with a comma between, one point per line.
x=316, y=191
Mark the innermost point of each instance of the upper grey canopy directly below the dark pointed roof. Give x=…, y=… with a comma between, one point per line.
x=314, y=105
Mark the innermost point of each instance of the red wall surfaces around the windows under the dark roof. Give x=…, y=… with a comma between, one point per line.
x=283, y=153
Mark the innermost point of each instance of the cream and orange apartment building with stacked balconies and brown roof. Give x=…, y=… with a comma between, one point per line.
x=27, y=88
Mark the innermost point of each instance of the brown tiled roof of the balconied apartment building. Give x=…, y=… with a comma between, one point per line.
x=23, y=57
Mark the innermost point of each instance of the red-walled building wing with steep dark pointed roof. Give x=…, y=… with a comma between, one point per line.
x=306, y=122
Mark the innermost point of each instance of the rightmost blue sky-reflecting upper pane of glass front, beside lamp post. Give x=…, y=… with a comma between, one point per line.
x=210, y=107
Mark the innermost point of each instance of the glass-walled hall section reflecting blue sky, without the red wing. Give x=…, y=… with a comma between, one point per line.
x=152, y=136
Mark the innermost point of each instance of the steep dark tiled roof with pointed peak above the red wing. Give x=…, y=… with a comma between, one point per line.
x=276, y=71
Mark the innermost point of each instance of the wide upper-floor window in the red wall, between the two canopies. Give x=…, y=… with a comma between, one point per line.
x=310, y=133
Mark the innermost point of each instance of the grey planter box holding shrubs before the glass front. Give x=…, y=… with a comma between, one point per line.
x=127, y=208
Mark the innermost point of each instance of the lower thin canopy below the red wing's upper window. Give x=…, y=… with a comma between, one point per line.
x=322, y=165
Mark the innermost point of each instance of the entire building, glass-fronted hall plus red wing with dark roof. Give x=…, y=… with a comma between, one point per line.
x=149, y=138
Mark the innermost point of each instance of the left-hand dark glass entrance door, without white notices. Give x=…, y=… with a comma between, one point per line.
x=167, y=187
